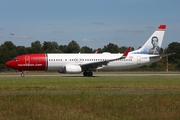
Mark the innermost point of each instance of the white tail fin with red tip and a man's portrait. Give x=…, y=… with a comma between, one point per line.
x=153, y=44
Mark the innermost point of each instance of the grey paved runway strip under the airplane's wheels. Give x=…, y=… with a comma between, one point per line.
x=80, y=75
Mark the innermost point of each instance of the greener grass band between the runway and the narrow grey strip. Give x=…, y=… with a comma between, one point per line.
x=92, y=83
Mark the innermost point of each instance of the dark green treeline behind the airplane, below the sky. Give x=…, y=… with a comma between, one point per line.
x=8, y=51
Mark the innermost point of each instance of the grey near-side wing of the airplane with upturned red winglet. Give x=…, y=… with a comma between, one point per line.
x=94, y=65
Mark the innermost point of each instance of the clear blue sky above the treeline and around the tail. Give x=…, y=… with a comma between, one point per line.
x=92, y=23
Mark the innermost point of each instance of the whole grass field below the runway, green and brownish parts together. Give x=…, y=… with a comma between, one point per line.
x=97, y=98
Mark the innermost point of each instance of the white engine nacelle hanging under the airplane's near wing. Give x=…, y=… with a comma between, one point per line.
x=71, y=69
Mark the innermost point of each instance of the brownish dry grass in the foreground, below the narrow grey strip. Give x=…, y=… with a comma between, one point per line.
x=90, y=106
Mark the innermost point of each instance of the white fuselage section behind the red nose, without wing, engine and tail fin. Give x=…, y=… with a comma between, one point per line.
x=59, y=61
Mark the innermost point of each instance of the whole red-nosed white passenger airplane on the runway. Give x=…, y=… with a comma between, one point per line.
x=88, y=62
